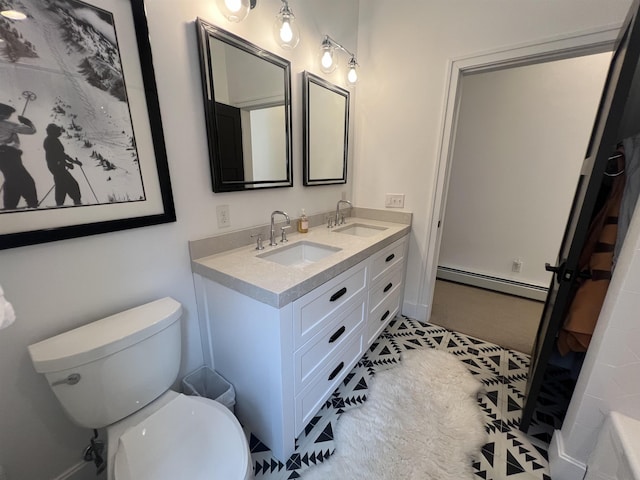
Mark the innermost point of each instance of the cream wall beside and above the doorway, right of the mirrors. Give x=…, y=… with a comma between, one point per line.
x=402, y=87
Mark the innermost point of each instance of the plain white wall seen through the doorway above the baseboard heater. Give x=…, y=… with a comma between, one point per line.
x=521, y=137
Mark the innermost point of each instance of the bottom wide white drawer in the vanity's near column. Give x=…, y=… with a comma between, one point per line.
x=309, y=401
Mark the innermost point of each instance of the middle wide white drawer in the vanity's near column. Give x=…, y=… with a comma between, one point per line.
x=313, y=356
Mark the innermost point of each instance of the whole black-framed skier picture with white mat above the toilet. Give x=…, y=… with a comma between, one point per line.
x=81, y=145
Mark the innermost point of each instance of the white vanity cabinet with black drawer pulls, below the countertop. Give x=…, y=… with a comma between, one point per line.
x=285, y=362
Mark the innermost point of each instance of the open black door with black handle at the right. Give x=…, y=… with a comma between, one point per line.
x=604, y=137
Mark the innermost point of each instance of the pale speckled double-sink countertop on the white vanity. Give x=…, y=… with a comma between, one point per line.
x=277, y=285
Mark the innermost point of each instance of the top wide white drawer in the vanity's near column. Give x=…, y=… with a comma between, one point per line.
x=311, y=310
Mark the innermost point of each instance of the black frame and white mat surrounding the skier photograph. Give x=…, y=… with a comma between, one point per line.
x=157, y=206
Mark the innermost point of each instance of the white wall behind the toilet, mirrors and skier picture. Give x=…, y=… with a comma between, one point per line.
x=61, y=285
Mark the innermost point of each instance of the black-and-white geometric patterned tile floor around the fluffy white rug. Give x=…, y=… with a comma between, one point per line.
x=509, y=454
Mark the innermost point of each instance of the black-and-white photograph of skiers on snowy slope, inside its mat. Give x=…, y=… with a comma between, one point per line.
x=66, y=134
